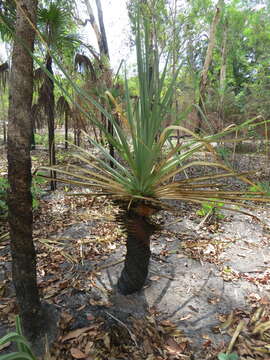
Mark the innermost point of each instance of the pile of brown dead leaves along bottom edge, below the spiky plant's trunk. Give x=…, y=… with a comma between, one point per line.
x=139, y=339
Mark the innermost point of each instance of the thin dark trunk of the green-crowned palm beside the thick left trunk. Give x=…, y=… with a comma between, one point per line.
x=50, y=107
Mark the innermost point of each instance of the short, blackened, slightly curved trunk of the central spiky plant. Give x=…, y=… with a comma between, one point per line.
x=139, y=231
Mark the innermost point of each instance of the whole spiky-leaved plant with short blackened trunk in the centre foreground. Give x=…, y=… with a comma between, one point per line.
x=144, y=173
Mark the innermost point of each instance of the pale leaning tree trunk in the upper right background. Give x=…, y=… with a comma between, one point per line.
x=207, y=62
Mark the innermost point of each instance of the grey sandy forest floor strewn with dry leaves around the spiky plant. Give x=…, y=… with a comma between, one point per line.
x=208, y=290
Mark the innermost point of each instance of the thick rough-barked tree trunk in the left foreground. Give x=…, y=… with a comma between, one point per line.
x=19, y=172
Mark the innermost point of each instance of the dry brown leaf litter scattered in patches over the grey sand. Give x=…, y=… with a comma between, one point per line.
x=68, y=266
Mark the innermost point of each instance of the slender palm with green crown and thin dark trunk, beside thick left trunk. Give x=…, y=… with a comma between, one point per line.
x=55, y=23
